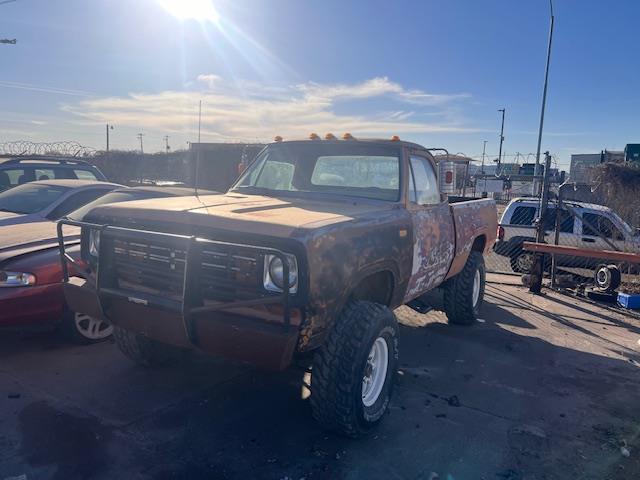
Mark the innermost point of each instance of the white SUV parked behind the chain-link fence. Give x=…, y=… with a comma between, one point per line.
x=517, y=226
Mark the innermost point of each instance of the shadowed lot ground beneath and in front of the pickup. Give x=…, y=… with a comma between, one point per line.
x=544, y=387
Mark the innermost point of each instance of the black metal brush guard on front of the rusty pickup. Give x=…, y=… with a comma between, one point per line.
x=192, y=301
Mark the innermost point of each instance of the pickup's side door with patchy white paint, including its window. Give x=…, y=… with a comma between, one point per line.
x=433, y=234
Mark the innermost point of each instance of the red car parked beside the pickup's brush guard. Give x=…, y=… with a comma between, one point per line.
x=30, y=272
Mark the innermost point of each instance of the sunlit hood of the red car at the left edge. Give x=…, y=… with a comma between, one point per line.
x=26, y=238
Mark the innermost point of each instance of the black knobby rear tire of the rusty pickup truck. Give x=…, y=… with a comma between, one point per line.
x=458, y=292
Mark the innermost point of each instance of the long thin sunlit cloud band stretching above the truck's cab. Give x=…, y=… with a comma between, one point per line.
x=248, y=111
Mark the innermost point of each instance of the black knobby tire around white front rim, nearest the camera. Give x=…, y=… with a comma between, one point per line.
x=339, y=368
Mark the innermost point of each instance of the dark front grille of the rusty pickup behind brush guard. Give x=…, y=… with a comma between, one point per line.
x=222, y=273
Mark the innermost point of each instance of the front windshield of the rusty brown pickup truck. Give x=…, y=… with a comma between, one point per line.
x=338, y=168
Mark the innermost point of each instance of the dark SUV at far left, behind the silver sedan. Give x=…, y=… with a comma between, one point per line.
x=17, y=171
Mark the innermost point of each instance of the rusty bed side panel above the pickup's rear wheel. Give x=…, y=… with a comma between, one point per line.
x=472, y=219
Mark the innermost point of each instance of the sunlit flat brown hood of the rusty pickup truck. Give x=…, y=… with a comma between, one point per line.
x=239, y=212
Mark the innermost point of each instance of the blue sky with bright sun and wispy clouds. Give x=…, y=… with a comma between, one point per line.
x=432, y=71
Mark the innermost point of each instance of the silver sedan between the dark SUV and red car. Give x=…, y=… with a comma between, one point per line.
x=48, y=199
